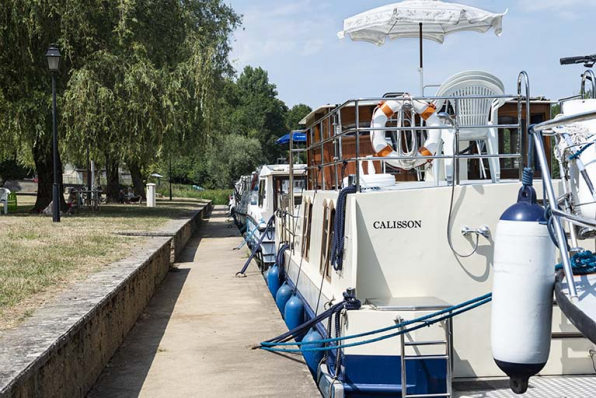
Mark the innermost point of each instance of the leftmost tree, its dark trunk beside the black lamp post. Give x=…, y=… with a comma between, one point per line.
x=28, y=27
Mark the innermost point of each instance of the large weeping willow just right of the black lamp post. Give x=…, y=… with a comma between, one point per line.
x=153, y=91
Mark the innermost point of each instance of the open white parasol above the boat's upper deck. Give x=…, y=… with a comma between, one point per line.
x=423, y=19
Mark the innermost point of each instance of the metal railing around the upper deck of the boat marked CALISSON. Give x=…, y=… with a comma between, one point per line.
x=337, y=132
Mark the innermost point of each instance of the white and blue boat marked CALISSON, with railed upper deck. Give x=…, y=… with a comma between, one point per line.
x=407, y=249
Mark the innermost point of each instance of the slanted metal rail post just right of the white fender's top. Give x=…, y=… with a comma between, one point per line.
x=552, y=201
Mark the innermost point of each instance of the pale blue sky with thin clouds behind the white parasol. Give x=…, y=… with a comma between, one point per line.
x=296, y=42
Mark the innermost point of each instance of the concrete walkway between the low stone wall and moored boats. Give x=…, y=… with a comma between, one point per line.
x=194, y=338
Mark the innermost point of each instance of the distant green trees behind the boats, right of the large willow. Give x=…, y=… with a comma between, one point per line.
x=254, y=119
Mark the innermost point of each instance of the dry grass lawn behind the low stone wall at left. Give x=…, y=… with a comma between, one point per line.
x=38, y=258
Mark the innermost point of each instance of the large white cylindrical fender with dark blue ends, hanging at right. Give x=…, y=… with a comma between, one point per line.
x=524, y=276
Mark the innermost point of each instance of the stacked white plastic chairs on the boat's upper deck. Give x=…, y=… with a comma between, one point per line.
x=472, y=112
